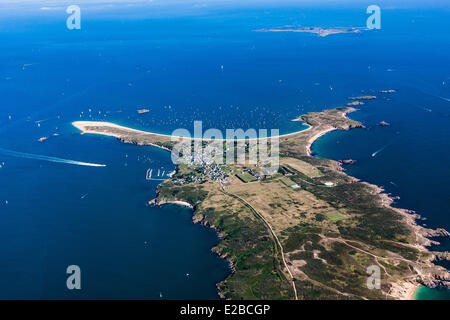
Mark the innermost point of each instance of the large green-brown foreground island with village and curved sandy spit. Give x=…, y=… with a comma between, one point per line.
x=308, y=231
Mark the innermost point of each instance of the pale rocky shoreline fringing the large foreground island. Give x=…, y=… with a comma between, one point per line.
x=428, y=273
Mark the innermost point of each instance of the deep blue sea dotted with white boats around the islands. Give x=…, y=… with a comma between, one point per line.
x=188, y=62
